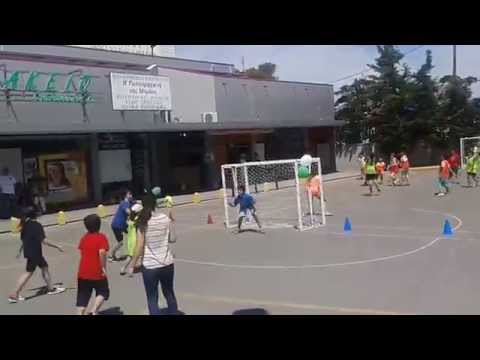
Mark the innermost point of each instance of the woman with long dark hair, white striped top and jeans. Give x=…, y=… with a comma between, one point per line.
x=154, y=236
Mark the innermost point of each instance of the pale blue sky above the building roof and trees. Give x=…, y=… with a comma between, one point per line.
x=327, y=63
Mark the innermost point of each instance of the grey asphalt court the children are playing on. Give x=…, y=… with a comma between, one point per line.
x=394, y=261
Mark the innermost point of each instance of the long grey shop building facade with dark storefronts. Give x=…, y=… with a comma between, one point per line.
x=57, y=119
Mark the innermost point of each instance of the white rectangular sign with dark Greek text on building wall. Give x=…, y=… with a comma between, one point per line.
x=140, y=92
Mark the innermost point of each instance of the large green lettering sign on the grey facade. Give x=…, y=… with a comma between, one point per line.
x=33, y=86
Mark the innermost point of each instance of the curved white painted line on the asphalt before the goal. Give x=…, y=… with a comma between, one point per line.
x=318, y=266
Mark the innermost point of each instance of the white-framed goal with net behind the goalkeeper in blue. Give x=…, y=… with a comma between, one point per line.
x=282, y=197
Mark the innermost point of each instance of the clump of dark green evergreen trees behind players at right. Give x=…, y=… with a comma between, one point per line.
x=396, y=107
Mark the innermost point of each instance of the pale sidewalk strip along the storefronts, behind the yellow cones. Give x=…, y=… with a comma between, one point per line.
x=78, y=215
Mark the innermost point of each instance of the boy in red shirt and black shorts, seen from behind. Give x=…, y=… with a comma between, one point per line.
x=92, y=272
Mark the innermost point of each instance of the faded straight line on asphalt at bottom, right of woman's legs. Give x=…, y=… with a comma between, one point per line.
x=254, y=302
